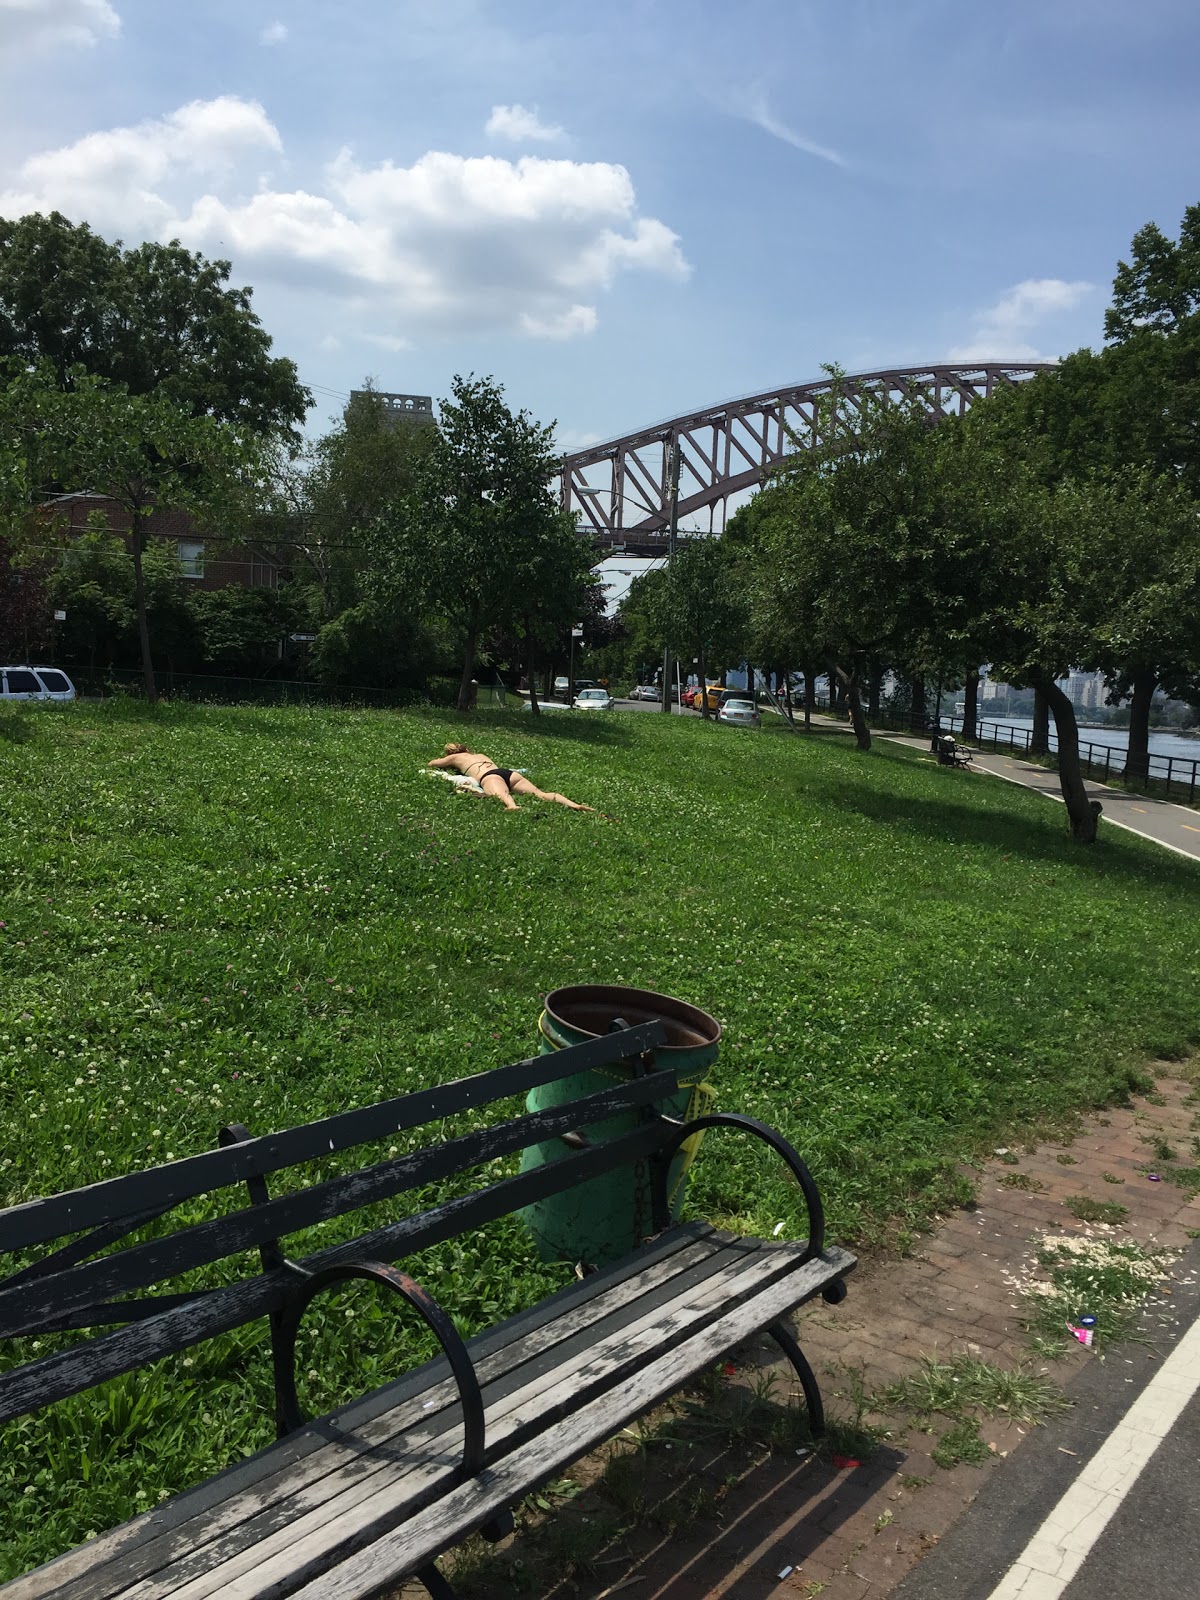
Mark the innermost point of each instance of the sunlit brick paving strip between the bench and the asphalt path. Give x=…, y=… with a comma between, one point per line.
x=956, y=1297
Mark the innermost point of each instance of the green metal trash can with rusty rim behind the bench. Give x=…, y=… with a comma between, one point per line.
x=610, y=1215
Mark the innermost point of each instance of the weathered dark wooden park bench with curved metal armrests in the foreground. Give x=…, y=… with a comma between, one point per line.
x=359, y=1500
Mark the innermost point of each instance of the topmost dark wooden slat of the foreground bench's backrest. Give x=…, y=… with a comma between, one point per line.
x=161, y=1188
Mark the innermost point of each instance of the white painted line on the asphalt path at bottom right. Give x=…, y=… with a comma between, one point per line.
x=1065, y=1540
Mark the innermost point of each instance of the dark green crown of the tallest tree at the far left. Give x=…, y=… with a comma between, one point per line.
x=158, y=319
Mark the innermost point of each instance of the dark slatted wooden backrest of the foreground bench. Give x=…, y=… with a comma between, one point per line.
x=94, y=1274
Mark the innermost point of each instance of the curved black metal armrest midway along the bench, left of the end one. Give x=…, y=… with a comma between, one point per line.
x=287, y=1324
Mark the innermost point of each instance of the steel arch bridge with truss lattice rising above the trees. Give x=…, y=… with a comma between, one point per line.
x=622, y=489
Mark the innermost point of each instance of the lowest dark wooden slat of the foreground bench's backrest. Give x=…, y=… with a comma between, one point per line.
x=68, y=1372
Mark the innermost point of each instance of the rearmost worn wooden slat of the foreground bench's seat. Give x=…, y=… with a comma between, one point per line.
x=148, y=1543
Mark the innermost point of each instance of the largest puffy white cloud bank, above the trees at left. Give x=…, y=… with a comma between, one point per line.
x=450, y=244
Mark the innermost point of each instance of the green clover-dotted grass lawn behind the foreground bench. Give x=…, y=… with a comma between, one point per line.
x=268, y=916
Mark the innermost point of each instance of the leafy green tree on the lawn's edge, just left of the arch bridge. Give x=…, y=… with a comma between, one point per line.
x=479, y=513
